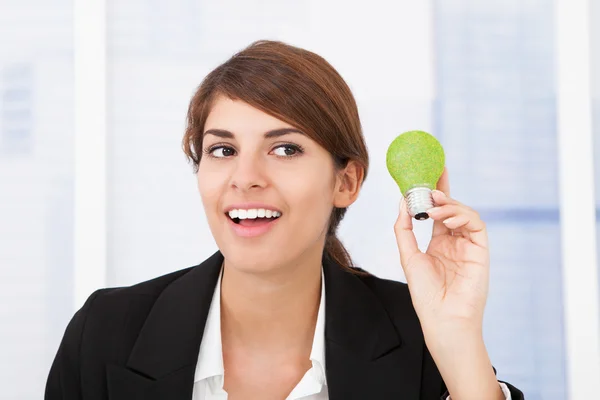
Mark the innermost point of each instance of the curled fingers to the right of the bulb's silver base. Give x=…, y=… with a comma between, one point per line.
x=456, y=216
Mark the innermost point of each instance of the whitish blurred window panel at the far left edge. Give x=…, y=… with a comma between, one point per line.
x=36, y=189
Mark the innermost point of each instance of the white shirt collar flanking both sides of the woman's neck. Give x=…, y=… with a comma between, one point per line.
x=210, y=358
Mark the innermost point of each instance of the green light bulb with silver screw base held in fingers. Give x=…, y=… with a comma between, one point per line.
x=416, y=160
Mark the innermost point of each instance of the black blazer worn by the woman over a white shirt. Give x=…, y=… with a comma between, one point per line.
x=142, y=342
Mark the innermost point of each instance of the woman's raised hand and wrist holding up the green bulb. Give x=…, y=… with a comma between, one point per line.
x=448, y=285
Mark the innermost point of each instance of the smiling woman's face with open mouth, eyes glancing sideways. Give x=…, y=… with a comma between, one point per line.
x=267, y=189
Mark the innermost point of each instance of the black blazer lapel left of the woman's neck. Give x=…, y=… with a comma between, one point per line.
x=163, y=360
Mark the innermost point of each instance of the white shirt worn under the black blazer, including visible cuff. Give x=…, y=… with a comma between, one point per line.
x=209, y=376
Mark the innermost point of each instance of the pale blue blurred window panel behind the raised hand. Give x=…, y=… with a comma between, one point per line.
x=496, y=118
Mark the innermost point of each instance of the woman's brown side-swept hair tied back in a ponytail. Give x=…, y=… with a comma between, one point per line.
x=295, y=86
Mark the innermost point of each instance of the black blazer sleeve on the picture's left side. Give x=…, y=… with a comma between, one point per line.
x=64, y=378
